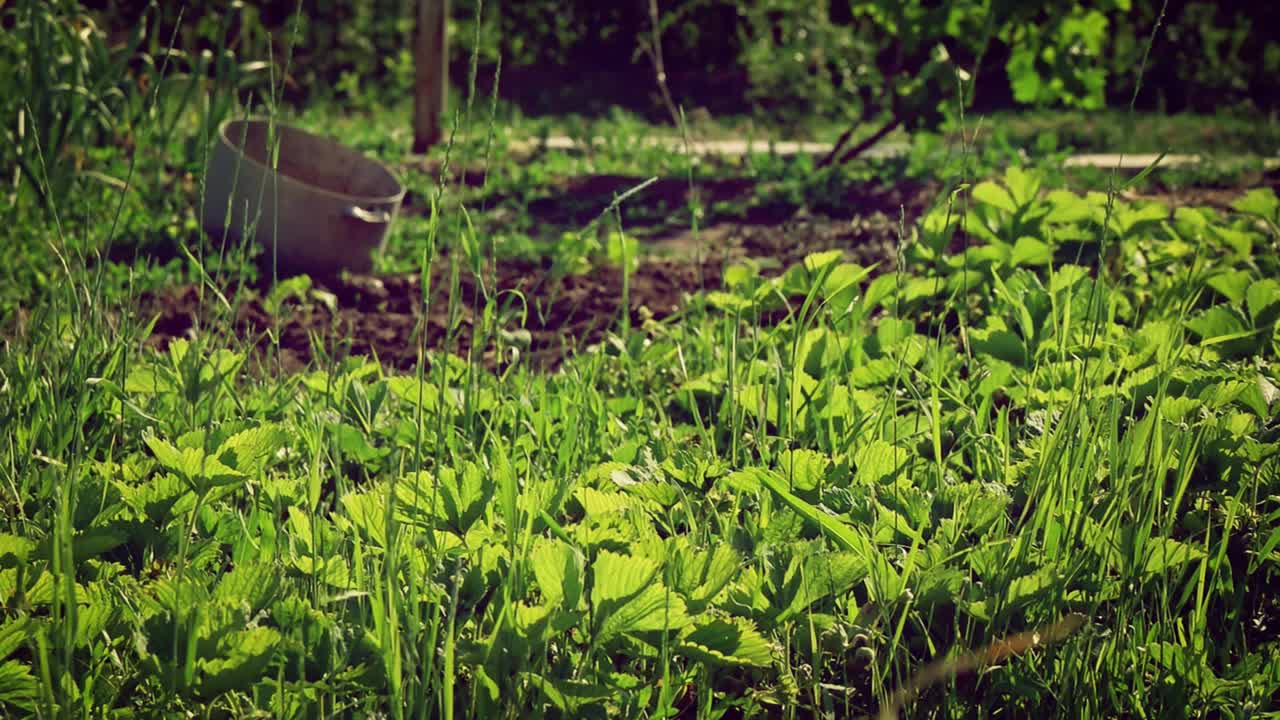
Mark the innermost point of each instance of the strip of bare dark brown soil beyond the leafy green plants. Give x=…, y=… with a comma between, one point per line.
x=386, y=317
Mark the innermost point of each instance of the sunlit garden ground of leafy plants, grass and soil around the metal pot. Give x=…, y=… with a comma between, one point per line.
x=621, y=434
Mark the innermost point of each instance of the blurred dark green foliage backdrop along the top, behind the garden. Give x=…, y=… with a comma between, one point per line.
x=74, y=71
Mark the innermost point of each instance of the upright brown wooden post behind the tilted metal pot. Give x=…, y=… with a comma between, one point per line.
x=432, y=65
